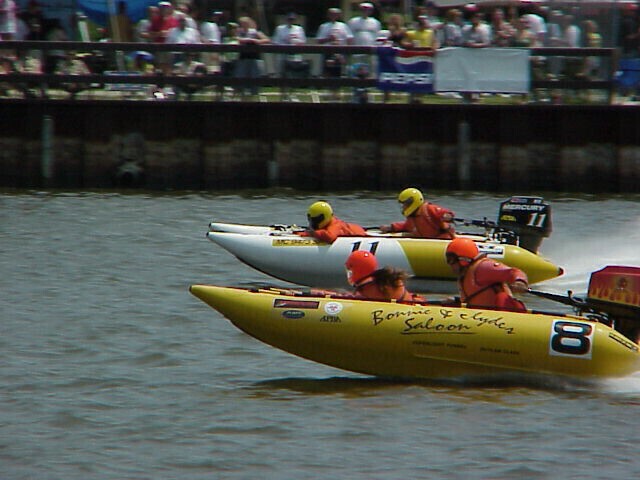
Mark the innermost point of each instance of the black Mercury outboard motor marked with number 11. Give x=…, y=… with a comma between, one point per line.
x=529, y=218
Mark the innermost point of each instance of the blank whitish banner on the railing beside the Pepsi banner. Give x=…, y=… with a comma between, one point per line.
x=491, y=70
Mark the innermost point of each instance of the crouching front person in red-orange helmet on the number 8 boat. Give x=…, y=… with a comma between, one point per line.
x=374, y=283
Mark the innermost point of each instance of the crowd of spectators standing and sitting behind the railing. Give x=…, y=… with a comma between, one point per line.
x=429, y=27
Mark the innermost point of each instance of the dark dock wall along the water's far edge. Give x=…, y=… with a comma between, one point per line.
x=221, y=146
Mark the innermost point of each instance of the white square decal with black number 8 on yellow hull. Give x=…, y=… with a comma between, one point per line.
x=571, y=339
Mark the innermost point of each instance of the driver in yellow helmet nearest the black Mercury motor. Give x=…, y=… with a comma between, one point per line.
x=424, y=219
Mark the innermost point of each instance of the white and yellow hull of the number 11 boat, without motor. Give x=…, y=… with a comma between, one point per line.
x=307, y=261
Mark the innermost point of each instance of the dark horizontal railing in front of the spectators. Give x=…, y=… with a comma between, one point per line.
x=42, y=82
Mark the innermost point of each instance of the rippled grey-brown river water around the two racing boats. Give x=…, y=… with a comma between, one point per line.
x=110, y=369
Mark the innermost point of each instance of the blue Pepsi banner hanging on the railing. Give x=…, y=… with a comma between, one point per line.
x=405, y=70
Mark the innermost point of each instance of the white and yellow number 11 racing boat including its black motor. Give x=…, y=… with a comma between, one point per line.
x=278, y=251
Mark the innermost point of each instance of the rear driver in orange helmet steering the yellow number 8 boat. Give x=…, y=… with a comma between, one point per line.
x=484, y=282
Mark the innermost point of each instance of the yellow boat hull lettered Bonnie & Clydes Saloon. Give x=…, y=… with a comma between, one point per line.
x=424, y=342
